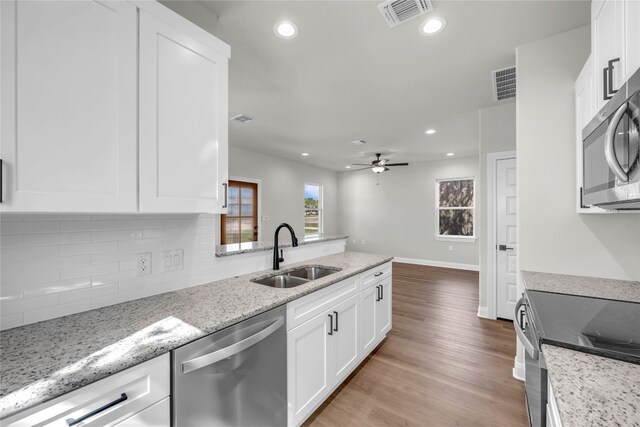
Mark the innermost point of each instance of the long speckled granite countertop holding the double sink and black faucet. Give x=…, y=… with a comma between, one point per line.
x=44, y=360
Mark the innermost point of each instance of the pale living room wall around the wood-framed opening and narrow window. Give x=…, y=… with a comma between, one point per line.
x=282, y=189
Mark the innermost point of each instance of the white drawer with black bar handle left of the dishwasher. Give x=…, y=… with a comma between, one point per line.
x=129, y=392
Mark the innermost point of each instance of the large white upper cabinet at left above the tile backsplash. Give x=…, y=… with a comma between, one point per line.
x=111, y=106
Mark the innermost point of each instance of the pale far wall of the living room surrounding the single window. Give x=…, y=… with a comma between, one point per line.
x=397, y=217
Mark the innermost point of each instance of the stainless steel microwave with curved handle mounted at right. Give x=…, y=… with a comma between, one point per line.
x=611, y=152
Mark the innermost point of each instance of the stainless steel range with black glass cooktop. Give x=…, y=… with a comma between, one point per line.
x=598, y=326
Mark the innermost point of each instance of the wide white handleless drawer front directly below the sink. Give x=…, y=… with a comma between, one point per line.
x=309, y=306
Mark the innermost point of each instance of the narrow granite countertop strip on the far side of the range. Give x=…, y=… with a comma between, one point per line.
x=622, y=290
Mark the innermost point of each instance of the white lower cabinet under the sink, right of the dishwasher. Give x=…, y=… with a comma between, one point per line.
x=350, y=319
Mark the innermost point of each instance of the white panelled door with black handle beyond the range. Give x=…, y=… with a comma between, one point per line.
x=502, y=246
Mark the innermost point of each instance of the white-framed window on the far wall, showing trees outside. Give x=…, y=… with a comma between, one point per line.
x=455, y=209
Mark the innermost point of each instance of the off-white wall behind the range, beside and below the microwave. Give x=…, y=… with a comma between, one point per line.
x=552, y=237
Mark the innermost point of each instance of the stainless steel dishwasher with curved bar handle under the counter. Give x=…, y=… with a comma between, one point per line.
x=234, y=377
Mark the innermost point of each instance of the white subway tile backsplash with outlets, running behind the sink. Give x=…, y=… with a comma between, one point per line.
x=55, y=265
